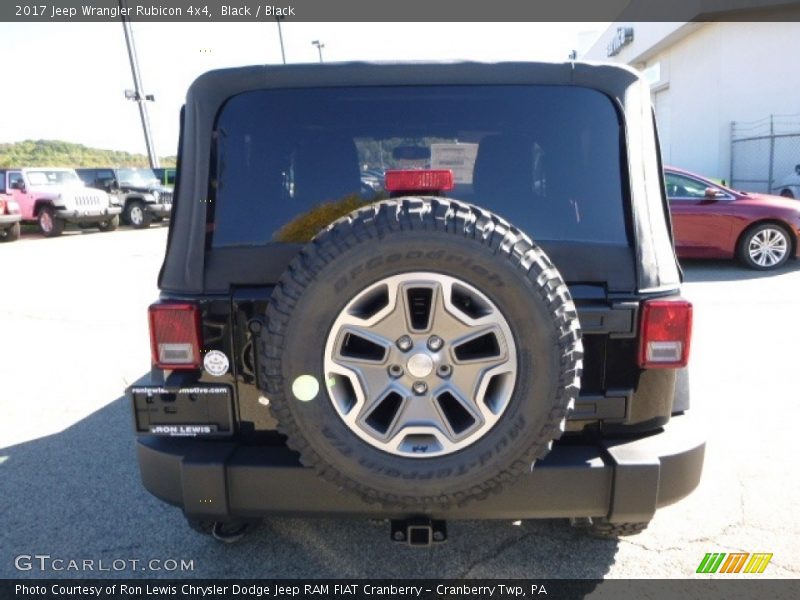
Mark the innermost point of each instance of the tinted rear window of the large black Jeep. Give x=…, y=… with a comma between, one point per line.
x=289, y=161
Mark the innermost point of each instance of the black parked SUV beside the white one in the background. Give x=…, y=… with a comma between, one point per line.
x=136, y=190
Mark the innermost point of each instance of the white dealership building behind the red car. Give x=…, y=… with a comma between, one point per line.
x=706, y=76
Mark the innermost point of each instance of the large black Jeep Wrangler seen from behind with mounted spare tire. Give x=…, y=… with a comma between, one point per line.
x=498, y=334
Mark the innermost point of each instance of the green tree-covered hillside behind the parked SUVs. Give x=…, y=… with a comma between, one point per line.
x=55, y=153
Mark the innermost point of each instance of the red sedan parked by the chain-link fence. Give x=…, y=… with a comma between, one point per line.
x=710, y=220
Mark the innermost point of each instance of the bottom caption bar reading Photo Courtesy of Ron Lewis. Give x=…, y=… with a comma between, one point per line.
x=722, y=587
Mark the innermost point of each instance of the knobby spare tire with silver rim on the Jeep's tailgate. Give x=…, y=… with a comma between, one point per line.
x=421, y=352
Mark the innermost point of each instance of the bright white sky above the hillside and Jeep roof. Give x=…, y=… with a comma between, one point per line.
x=69, y=78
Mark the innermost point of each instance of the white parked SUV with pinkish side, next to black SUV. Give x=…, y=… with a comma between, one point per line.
x=53, y=197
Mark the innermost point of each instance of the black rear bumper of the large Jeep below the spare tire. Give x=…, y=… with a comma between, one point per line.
x=624, y=480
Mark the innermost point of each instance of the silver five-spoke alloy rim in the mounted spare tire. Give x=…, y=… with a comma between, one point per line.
x=420, y=364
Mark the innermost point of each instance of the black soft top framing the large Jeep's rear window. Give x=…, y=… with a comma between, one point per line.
x=184, y=266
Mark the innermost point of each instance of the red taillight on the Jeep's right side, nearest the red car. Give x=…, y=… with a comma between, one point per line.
x=665, y=334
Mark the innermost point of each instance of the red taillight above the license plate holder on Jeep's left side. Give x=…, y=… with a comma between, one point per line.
x=175, y=338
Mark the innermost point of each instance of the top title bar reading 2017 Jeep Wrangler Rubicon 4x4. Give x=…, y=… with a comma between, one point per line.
x=209, y=11
